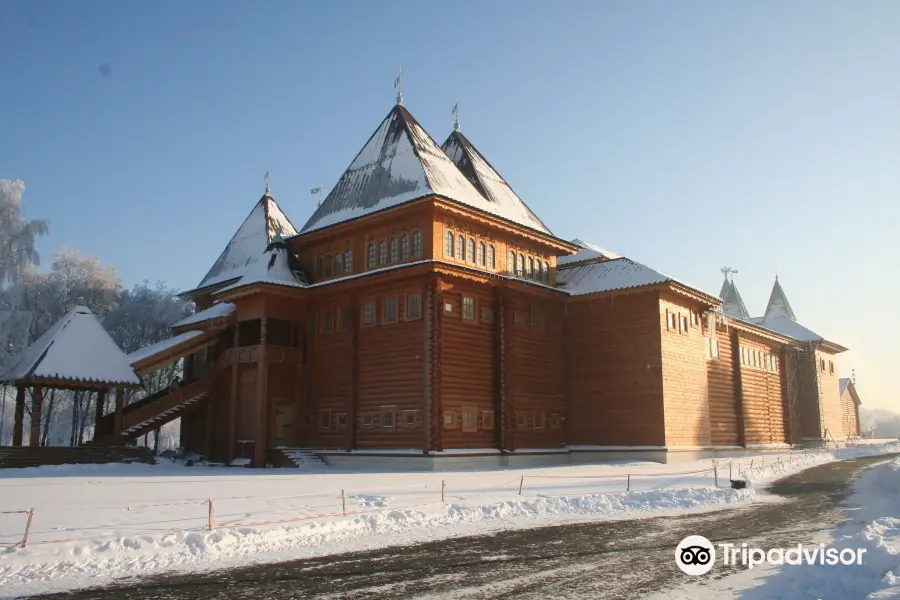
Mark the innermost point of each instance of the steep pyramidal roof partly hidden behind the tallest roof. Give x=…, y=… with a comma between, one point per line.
x=489, y=183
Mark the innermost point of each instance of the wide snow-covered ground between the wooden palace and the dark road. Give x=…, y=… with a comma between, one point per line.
x=95, y=523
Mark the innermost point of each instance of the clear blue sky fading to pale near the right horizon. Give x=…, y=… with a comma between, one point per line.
x=686, y=135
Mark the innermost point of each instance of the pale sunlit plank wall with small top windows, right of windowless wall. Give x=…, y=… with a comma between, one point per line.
x=684, y=378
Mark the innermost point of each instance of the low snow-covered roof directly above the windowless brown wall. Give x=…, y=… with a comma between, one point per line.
x=606, y=276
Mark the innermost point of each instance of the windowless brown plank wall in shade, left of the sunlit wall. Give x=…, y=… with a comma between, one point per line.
x=613, y=371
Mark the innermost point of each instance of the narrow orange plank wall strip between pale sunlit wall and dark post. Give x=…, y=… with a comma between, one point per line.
x=723, y=417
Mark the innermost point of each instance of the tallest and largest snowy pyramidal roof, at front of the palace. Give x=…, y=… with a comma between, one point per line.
x=398, y=164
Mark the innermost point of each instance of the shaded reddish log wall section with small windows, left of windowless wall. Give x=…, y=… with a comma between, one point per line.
x=535, y=370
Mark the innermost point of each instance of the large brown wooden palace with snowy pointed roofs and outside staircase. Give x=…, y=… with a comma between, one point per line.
x=425, y=317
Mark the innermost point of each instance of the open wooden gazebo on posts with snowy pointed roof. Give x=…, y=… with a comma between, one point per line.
x=76, y=353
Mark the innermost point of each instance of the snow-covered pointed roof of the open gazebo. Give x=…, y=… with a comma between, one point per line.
x=76, y=349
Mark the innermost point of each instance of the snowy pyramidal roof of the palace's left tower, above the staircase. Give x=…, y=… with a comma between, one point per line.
x=264, y=222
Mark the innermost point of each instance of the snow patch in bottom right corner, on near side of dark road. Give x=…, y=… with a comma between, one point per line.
x=873, y=526
